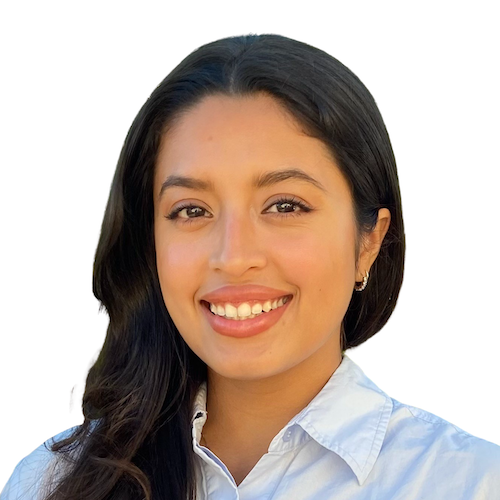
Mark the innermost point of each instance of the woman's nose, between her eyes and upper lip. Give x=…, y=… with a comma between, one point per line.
x=236, y=245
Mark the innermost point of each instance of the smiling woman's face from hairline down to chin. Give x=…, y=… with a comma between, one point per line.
x=292, y=232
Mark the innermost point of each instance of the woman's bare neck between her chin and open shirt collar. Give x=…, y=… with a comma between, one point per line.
x=247, y=414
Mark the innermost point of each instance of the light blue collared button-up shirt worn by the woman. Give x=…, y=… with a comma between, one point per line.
x=352, y=442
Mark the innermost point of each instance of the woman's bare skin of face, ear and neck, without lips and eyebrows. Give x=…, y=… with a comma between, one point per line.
x=257, y=384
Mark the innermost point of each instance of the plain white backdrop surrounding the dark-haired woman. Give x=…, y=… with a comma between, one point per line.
x=74, y=75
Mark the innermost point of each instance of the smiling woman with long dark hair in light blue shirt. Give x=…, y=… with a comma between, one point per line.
x=253, y=234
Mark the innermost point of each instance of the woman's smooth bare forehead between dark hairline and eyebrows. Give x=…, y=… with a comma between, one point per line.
x=226, y=137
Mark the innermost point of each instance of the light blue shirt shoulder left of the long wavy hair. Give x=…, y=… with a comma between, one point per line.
x=28, y=477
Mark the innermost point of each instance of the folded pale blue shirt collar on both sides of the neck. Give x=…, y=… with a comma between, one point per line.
x=349, y=417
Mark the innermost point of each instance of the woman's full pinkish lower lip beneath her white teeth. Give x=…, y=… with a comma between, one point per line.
x=247, y=327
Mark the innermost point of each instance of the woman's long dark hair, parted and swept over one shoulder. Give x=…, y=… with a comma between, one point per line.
x=135, y=441
